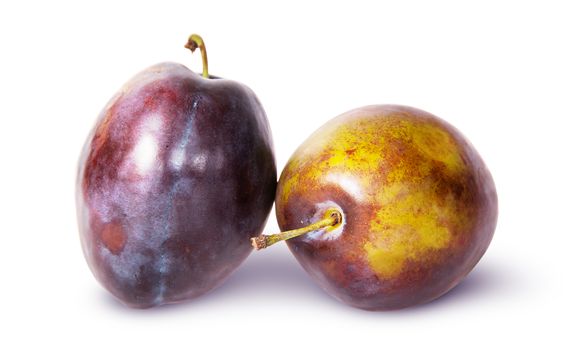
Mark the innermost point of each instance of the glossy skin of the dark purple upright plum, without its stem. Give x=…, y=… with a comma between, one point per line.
x=176, y=175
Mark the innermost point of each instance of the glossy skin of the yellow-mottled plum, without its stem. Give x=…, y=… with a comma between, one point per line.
x=419, y=206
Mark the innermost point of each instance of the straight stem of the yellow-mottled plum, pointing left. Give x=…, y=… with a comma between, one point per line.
x=331, y=218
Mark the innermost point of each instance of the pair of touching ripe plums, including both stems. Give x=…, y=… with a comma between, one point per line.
x=389, y=206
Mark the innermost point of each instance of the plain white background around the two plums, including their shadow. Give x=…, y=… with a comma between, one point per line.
x=499, y=71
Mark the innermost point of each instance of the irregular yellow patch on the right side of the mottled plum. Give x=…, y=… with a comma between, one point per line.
x=412, y=219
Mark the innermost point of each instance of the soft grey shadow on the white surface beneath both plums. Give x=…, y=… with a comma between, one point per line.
x=278, y=274
